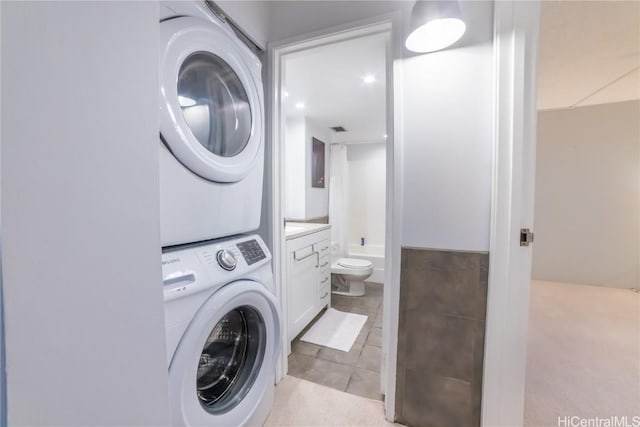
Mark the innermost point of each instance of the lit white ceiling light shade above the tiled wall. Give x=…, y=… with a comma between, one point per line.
x=435, y=25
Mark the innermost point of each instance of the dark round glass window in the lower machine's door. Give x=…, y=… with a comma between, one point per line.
x=230, y=359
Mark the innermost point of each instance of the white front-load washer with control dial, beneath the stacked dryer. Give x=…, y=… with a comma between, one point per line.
x=223, y=332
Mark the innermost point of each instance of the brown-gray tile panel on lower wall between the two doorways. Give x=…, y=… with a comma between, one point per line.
x=443, y=302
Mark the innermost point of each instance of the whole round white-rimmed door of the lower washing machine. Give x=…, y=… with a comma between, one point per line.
x=226, y=359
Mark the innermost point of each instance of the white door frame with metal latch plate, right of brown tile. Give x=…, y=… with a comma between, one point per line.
x=516, y=28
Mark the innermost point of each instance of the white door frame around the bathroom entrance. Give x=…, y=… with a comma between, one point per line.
x=391, y=25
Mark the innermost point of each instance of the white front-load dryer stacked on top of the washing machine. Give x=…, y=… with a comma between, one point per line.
x=211, y=127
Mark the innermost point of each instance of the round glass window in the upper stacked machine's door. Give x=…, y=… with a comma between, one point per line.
x=214, y=104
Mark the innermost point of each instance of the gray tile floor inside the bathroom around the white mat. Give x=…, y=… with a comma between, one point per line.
x=357, y=371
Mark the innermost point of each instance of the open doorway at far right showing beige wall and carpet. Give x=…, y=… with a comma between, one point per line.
x=583, y=356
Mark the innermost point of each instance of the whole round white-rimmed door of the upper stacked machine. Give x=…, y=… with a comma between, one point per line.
x=211, y=111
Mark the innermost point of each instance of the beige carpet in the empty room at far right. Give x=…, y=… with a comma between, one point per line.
x=583, y=353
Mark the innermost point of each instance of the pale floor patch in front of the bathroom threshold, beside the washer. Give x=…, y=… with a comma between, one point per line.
x=303, y=403
